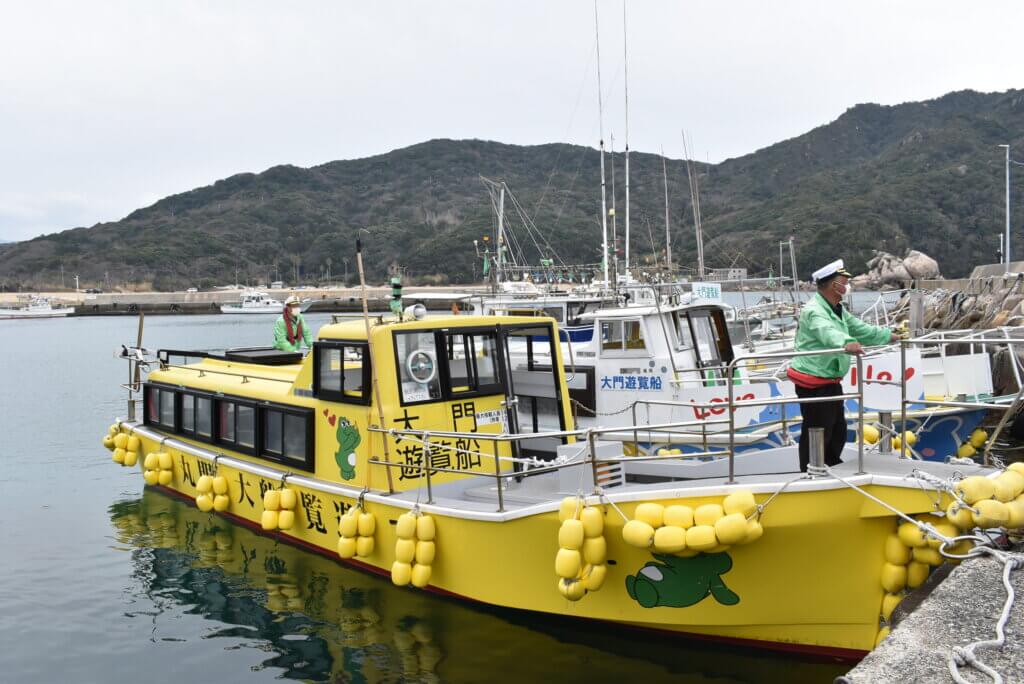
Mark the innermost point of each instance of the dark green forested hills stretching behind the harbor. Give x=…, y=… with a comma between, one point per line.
x=928, y=176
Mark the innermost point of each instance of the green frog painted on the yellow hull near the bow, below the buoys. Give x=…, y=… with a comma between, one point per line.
x=678, y=583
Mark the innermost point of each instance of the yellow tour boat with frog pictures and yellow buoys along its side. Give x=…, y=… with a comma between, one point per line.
x=412, y=448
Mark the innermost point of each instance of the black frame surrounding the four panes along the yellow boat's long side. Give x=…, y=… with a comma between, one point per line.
x=260, y=407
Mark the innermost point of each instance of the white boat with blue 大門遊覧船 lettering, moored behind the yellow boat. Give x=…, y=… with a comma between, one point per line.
x=667, y=363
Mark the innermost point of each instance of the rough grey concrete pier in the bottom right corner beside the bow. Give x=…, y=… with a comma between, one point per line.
x=962, y=610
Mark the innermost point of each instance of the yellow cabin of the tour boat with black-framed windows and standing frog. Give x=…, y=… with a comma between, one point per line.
x=323, y=415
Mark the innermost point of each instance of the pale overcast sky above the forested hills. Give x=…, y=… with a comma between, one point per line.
x=108, y=107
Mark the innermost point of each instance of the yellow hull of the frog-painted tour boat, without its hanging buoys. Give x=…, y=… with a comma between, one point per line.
x=810, y=584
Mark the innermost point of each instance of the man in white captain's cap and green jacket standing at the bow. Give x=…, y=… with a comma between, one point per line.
x=825, y=324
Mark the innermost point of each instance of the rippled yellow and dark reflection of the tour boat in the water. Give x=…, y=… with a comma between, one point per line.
x=322, y=622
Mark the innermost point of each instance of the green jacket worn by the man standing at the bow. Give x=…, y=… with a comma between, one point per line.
x=822, y=329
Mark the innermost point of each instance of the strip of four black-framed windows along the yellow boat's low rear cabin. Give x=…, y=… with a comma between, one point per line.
x=271, y=432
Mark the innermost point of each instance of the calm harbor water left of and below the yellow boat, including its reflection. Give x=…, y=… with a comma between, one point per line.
x=102, y=581
